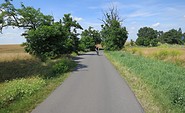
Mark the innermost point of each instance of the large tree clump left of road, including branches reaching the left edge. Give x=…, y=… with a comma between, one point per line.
x=45, y=38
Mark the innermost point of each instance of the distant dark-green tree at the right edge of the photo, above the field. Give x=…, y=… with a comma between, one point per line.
x=172, y=37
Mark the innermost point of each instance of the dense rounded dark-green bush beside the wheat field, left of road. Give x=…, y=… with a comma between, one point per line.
x=46, y=42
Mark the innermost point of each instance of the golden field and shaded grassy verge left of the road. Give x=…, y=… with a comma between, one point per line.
x=25, y=81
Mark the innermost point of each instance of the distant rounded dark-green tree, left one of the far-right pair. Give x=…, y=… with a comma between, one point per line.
x=147, y=36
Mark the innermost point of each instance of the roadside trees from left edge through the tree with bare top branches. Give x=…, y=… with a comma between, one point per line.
x=46, y=38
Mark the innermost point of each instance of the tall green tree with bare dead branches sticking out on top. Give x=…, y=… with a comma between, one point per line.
x=113, y=34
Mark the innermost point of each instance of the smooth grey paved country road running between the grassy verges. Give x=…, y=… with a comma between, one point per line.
x=93, y=87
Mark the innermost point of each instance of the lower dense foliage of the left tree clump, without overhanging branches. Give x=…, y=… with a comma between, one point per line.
x=51, y=41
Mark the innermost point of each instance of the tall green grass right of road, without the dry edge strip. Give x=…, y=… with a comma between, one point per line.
x=165, y=79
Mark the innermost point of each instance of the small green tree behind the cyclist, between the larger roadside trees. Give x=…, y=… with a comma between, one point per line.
x=89, y=38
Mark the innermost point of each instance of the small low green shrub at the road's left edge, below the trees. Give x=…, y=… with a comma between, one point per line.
x=64, y=65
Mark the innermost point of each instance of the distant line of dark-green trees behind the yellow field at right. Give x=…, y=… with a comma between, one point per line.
x=149, y=37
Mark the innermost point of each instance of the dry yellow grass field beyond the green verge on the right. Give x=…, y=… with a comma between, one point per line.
x=173, y=54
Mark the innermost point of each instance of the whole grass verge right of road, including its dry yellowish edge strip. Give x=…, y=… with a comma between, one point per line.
x=158, y=85
